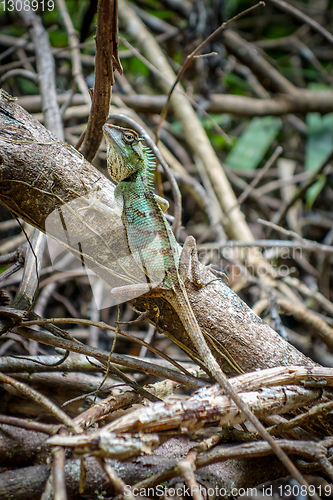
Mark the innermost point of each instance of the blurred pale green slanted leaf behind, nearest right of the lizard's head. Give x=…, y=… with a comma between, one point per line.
x=253, y=143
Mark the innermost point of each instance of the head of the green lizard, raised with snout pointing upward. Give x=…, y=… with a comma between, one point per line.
x=125, y=152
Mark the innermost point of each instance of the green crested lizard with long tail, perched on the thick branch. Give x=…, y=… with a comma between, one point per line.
x=153, y=245
